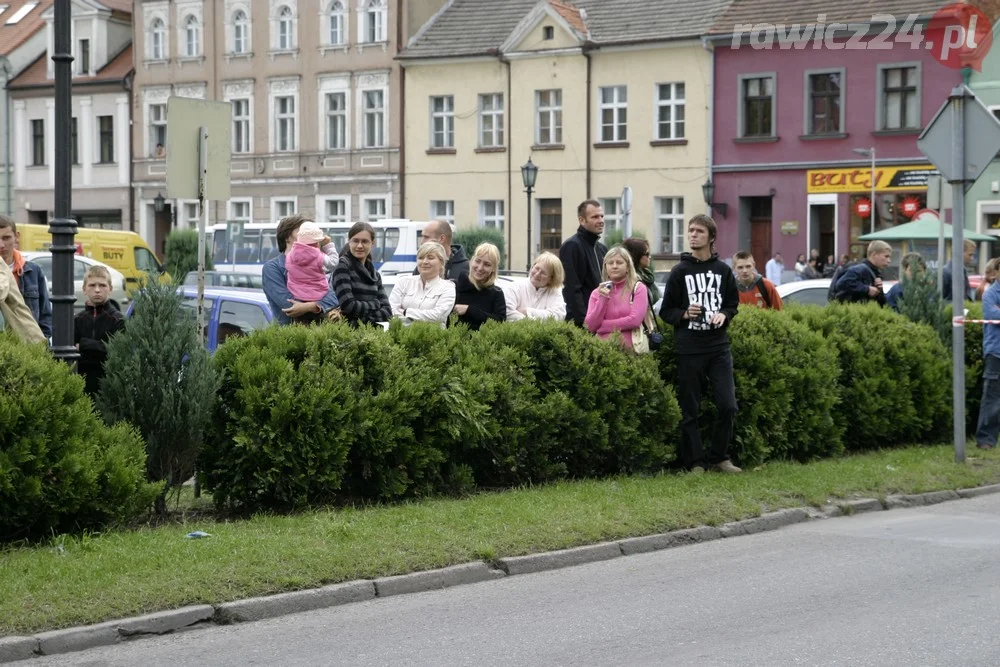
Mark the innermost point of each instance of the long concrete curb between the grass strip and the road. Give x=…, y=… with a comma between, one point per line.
x=14, y=649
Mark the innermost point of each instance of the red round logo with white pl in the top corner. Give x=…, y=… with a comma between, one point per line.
x=959, y=35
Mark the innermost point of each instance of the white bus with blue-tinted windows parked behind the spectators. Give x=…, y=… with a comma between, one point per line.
x=394, y=251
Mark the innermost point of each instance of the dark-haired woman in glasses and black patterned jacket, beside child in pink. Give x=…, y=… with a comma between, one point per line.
x=357, y=284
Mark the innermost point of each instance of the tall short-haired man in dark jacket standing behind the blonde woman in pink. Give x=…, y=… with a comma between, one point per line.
x=582, y=256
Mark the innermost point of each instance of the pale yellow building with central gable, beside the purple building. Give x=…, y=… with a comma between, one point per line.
x=593, y=115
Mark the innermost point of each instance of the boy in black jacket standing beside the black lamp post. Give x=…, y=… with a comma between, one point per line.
x=94, y=327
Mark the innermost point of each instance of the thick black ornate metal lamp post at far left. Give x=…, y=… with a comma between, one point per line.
x=63, y=227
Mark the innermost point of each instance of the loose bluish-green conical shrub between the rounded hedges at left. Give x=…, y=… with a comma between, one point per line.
x=159, y=378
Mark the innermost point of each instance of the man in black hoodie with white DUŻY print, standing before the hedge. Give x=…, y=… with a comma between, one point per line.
x=700, y=301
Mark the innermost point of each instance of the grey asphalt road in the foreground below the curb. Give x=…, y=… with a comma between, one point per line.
x=906, y=587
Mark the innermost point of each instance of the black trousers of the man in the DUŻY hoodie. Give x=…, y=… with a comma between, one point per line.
x=692, y=371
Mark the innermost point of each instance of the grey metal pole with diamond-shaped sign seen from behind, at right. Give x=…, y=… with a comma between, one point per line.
x=961, y=140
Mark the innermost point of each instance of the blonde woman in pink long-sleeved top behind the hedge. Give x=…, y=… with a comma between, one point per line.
x=619, y=303
